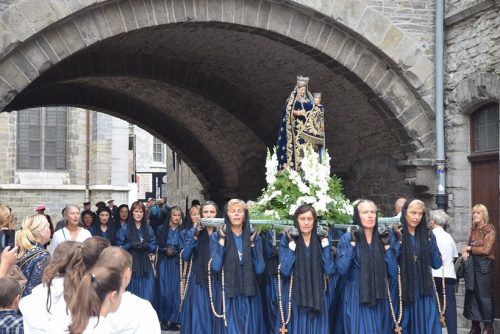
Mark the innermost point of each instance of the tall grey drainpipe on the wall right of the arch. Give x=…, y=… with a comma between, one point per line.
x=441, y=196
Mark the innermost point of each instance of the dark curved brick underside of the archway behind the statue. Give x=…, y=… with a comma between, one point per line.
x=216, y=95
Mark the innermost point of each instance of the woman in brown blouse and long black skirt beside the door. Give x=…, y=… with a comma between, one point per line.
x=478, y=305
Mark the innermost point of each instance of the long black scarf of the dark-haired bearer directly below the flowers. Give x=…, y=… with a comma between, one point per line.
x=308, y=269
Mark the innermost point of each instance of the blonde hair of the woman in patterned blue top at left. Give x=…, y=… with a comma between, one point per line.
x=33, y=228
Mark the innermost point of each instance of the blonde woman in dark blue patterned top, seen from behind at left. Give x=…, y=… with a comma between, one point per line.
x=33, y=257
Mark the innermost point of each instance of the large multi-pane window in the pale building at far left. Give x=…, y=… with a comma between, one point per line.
x=41, y=139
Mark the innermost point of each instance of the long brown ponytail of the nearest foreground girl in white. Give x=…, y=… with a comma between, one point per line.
x=91, y=294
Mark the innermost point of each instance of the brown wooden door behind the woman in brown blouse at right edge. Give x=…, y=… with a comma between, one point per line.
x=485, y=191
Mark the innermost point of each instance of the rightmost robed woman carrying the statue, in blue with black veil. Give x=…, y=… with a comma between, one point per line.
x=418, y=252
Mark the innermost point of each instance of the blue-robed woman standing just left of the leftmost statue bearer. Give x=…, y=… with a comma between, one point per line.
x=170, y=244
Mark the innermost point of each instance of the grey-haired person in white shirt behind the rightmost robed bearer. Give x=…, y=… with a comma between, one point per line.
x=438, y=219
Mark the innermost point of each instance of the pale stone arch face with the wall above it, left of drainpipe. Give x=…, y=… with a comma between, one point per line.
x=388, y=66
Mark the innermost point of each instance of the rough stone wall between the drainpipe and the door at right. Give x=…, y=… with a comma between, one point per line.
x=472, y=60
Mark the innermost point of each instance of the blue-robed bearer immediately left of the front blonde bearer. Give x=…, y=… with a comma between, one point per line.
x=196, y=314
